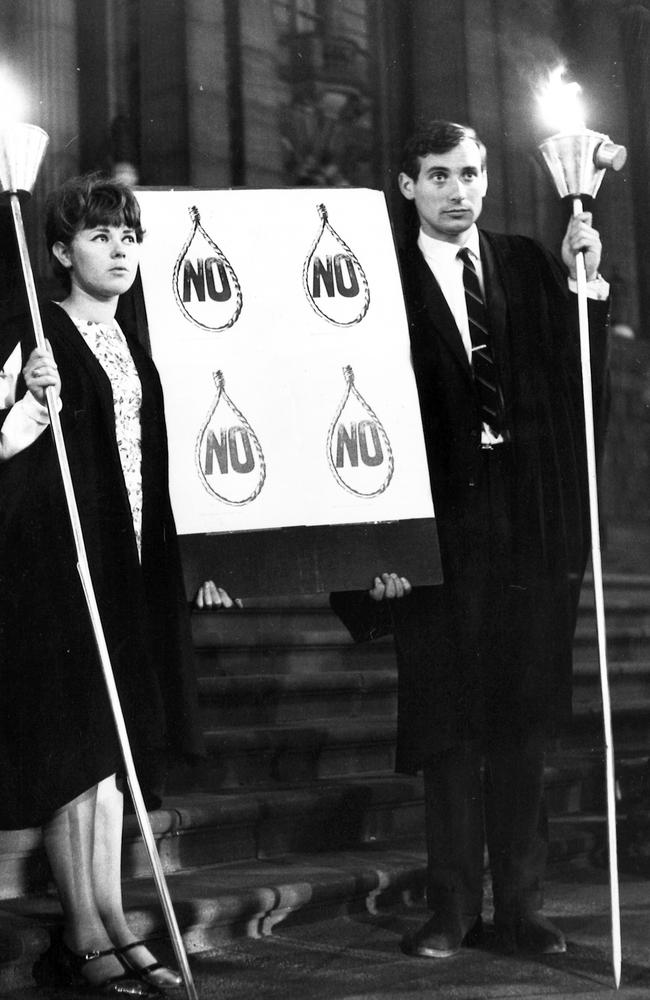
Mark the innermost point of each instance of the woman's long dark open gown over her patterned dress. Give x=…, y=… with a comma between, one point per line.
x=57, y=736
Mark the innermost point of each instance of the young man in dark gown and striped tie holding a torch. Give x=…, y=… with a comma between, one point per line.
x=485, y=658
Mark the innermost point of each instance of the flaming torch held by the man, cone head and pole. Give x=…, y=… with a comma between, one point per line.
x=577, y=159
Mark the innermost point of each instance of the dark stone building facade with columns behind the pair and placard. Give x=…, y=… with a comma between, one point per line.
x=268, y=93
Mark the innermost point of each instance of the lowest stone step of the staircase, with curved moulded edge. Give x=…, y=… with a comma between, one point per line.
x=219, y=903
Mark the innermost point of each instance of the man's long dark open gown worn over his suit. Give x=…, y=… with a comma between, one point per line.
x=447, y=690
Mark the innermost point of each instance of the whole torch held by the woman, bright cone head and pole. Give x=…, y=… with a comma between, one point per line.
x=22, y=148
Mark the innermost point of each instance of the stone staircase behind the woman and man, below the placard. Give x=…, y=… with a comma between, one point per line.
x=296, y=812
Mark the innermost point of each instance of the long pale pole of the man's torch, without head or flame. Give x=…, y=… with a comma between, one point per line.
x=585, y=354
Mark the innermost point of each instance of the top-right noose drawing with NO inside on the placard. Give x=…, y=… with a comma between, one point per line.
x=334, y=281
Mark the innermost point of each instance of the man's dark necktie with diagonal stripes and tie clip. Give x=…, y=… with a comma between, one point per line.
x=485, y=372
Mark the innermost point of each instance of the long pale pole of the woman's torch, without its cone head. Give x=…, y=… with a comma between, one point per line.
x=100, y=640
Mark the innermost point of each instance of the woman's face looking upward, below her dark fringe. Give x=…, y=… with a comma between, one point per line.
x=102, y=261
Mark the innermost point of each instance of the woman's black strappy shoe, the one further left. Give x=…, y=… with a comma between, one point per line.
x=60, y=966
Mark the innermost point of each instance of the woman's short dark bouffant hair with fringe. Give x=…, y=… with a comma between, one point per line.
x=85, y=202
